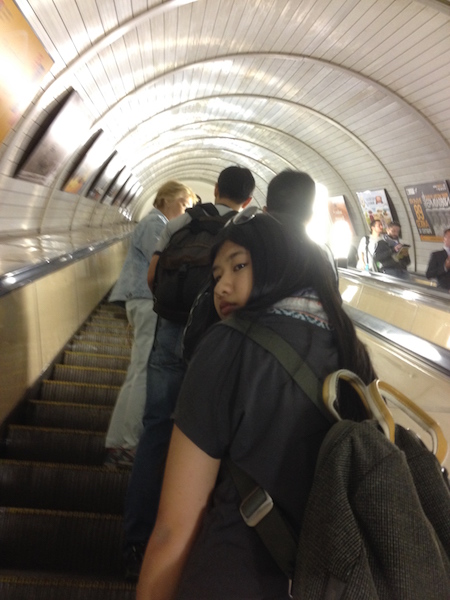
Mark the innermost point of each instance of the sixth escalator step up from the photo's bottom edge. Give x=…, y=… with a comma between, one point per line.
x=79, y=392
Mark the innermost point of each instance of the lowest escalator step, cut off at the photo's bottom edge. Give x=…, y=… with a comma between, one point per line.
x=18, y=585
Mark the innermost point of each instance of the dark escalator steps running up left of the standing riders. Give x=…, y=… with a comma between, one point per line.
x=60, y=508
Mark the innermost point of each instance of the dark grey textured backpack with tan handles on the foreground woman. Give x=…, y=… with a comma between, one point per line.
x=377, y=521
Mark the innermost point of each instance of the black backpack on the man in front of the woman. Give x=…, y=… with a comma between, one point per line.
x=184, y=265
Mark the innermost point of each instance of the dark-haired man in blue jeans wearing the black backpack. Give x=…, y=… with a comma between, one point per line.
x=165, y=373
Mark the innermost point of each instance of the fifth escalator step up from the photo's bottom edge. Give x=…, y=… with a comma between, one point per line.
x=70, y=415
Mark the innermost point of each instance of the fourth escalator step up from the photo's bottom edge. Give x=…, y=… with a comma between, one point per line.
x=55, y=445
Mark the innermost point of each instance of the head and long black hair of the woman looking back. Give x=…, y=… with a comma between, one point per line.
x=259, y=262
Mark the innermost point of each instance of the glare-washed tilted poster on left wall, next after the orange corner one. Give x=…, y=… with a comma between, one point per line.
x=58, y=141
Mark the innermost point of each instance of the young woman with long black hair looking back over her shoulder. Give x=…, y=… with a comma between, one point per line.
x=237, y=400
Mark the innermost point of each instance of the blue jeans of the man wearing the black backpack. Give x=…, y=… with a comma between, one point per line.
x=165, y=374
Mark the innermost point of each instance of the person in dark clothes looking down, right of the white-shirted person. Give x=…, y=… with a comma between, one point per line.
x=390, y=254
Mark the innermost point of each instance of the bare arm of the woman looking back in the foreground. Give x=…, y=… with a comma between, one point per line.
x=189, y=479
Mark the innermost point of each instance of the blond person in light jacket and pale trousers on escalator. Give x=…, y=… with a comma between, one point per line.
x=132, y=292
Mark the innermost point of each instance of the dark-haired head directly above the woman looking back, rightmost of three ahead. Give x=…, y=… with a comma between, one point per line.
x=290, y=194
